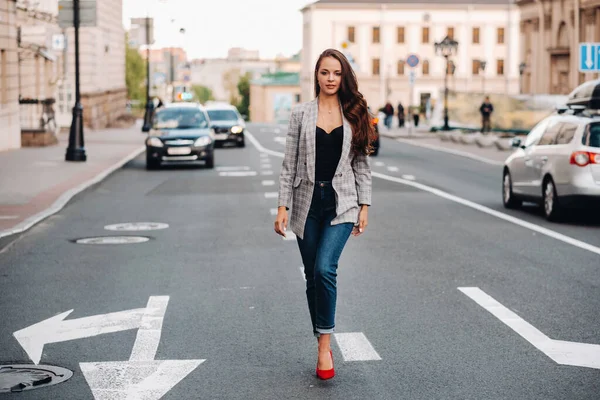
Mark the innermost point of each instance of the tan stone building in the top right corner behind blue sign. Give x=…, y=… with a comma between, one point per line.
x=551, y=31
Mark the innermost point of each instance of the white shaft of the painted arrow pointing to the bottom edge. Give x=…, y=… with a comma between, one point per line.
x=148, y=335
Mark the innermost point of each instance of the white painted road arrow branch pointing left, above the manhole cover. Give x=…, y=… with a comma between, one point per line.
x=55, y=330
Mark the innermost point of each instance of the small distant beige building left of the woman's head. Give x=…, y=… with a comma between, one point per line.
x=272, y=97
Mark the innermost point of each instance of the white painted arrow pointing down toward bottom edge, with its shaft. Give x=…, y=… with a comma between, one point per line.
x=142, y=377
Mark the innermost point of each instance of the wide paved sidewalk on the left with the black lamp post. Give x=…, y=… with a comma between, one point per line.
x=37, y=182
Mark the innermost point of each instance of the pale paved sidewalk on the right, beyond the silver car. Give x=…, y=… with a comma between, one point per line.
x=433, y=140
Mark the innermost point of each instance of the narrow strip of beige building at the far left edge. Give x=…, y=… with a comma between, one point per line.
x=10, y=131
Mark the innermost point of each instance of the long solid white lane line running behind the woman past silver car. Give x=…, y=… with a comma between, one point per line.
x=508, y=218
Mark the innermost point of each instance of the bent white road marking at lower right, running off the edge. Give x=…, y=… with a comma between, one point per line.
x=566, y=353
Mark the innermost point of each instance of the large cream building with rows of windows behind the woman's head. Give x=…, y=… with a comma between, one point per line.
x=380, y=35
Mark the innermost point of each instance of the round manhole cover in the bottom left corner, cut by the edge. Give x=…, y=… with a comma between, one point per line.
x=20, y=377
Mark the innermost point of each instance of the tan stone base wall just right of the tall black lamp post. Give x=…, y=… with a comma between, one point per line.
x=101, y=109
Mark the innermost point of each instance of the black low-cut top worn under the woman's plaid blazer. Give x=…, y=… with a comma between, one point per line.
x=329, y=152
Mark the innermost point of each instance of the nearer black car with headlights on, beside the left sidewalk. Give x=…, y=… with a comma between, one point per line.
x=180, y=133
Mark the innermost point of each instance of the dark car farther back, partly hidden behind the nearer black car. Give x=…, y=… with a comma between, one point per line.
x=228, y=124
